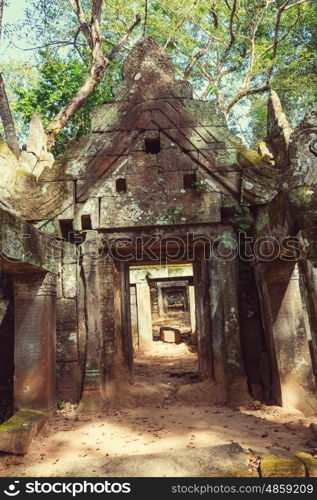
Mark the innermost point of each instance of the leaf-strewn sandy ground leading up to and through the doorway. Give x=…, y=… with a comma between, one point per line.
x=73, y=440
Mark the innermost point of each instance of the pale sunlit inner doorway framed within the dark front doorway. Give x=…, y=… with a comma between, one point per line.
x=162, y=297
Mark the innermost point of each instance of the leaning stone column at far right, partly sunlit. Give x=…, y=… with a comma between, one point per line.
x=293, y=381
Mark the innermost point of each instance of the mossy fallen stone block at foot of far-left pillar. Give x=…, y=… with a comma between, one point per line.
x=17, y=433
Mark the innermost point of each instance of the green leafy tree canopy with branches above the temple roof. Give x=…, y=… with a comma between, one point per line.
x=232, y=51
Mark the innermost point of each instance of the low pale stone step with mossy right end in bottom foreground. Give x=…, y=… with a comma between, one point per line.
x=227, y=460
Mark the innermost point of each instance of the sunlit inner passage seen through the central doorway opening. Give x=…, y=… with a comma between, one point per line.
x=164, y=324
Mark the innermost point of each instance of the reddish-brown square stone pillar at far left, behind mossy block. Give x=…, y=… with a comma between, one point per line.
x=35, y=337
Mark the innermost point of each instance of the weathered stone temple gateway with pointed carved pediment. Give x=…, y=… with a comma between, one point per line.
x=160, y=178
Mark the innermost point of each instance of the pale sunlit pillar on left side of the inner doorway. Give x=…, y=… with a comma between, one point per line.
x=144, y=315
